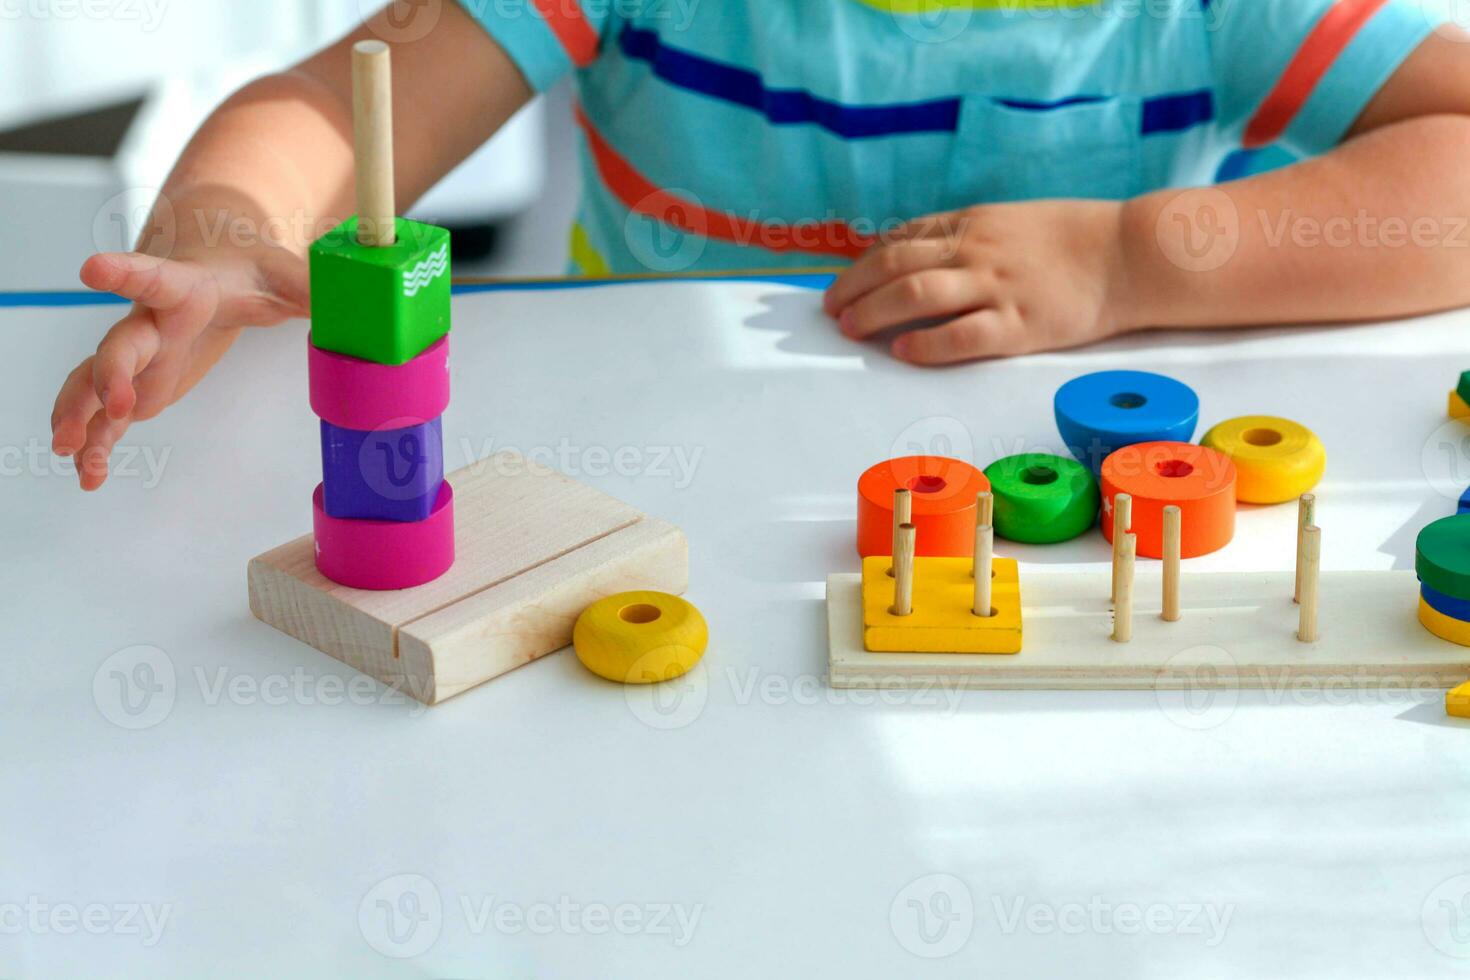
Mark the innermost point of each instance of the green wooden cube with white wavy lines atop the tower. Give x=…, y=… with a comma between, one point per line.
x=381, y=305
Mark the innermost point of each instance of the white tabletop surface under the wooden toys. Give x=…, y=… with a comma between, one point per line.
x=1325, y=828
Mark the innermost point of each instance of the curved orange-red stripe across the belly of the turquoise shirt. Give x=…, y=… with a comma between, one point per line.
x=642, y=196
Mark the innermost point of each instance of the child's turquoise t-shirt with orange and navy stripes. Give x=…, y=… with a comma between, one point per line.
x=728, y=134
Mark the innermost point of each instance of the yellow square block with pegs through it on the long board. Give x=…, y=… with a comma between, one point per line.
x=943, y=619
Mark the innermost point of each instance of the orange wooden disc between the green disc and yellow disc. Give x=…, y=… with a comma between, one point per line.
x=1197, y=480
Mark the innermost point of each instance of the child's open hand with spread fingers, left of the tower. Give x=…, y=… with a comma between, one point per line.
x=186, y=315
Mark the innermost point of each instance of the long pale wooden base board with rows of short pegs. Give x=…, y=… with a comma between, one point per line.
x=1238, y=631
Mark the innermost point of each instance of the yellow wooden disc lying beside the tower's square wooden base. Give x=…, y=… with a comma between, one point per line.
x=640, y=638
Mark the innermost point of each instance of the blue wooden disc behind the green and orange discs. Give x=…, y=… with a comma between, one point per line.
x=1100, y=414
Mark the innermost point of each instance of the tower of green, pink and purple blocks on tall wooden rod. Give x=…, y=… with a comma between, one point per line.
x=379, y=368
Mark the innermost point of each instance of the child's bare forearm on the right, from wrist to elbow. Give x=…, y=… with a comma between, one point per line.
x=1377, y=228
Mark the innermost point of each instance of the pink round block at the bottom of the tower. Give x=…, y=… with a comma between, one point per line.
x=386, y=555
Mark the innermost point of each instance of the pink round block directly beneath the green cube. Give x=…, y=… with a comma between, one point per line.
x=359, y=394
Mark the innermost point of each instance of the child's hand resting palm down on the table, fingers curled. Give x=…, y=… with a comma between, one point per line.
x=1005, y=278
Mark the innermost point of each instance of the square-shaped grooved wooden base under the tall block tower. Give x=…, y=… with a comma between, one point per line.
x=533, y=550
